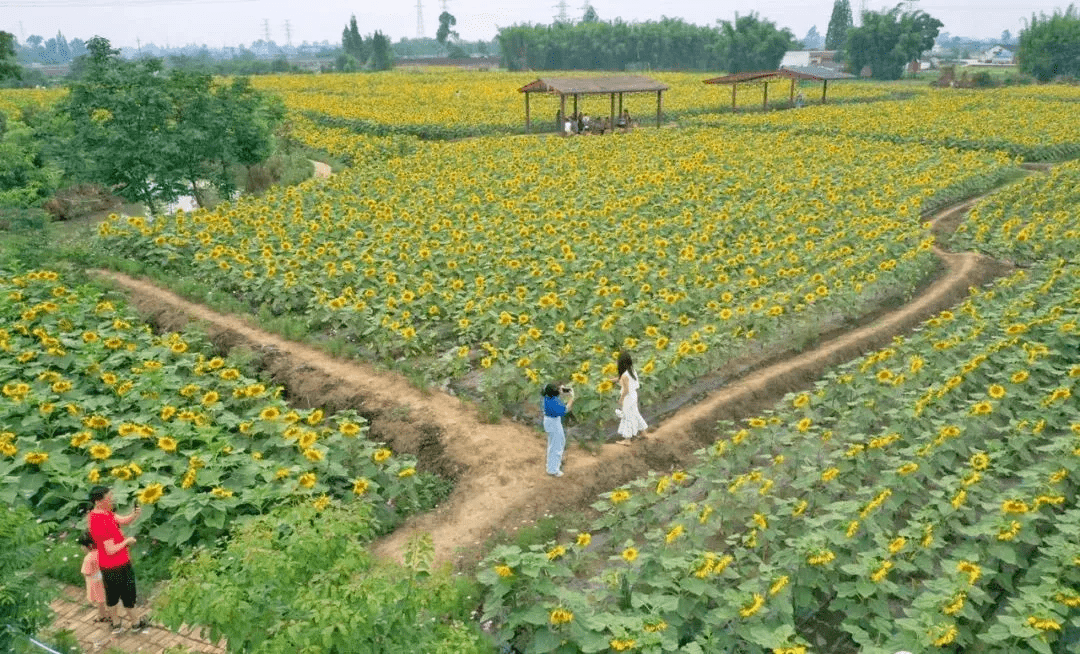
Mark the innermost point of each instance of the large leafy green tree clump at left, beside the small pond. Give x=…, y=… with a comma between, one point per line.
x=152, y=137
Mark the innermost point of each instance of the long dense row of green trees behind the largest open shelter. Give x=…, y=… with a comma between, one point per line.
x=746, y=44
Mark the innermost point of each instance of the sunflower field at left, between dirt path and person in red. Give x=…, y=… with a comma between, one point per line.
x=92, y=397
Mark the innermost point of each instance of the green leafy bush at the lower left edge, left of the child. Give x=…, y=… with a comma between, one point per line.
x=24, y=603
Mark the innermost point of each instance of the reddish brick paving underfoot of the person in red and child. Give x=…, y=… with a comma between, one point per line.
x=75, y=615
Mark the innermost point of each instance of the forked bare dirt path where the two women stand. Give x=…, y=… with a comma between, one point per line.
x=502, y=483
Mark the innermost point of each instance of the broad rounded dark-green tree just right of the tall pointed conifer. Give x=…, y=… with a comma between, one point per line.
x=887, y=42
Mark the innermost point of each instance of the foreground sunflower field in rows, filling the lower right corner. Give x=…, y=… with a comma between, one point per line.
x=921, y=499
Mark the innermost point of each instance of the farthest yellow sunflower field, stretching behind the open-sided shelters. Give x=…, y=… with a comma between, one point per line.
x=449, y=104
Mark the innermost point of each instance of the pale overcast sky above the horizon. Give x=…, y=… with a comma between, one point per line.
x=234, y=22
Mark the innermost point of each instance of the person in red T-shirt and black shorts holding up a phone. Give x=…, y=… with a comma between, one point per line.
x=113, y=556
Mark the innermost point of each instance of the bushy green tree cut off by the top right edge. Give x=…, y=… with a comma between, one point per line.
x=1050, y=46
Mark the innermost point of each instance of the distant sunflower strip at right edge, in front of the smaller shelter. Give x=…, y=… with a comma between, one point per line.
x=1036, y=126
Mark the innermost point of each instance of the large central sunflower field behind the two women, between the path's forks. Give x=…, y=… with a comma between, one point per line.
x=490, y=258
